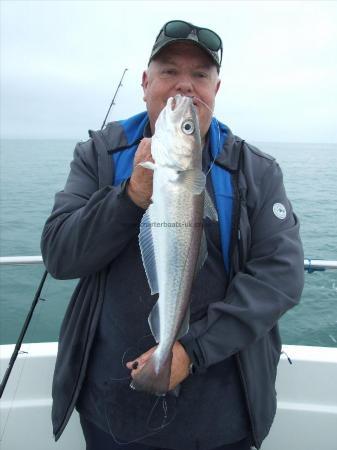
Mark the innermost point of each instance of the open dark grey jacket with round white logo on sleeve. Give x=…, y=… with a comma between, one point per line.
x=92, y=221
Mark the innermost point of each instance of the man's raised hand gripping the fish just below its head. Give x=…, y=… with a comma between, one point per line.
x=140, y=185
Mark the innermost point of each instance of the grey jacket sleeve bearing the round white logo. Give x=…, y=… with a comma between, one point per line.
x=269, y=284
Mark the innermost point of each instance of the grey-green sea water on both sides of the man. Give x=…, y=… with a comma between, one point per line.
x=33, y=170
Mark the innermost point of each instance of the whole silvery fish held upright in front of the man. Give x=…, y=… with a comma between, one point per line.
x=171, y=238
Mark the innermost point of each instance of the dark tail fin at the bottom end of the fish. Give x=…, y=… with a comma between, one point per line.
x=153, y=379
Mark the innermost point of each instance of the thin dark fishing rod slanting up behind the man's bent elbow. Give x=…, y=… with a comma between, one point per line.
x=39, y=289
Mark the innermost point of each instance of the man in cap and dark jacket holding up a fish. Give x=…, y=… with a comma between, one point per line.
x=226, y=363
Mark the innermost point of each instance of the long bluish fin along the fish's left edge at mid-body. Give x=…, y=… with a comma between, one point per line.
x=147, y=252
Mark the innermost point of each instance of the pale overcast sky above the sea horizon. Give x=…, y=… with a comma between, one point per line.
x=61, y=63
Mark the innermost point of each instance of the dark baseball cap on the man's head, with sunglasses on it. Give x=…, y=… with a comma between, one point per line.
x=181, y=31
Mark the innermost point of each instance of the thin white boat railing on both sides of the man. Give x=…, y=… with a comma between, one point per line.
x=310, y=265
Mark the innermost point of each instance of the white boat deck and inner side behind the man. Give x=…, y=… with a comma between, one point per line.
x=306, y=417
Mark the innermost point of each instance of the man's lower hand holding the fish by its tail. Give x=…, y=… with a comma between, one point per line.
x=179, y=367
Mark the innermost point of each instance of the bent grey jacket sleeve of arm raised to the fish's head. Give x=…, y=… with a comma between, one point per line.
x=88, y=226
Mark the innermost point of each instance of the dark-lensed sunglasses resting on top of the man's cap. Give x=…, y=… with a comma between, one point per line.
x=181, y=29
